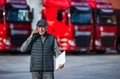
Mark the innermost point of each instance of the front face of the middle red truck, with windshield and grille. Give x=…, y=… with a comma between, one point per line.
x=82, y=21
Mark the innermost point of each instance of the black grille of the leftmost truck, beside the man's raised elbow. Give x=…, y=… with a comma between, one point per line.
x=17, y=40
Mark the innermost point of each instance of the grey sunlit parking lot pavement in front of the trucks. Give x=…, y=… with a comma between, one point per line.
x=76, y=67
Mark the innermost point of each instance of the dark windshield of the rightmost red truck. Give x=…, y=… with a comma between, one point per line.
x=103, y=18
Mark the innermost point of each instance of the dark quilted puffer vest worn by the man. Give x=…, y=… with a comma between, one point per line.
x=42, y=54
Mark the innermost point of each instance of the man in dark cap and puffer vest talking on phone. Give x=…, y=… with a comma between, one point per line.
x=43, y=47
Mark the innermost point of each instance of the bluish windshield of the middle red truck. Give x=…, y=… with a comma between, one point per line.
x=81, y=17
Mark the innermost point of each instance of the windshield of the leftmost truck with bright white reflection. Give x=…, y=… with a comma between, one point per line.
x=20, y=15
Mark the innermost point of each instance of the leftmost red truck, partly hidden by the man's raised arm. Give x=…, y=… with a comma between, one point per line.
x=15, y=24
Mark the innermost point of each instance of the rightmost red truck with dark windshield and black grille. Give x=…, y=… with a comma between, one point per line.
x=105, y=31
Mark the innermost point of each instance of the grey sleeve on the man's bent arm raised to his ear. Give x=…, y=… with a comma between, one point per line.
x=26, y=46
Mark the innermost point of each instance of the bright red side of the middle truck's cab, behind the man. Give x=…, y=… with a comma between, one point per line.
x=57, y=14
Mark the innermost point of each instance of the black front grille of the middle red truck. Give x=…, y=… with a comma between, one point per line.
x=82, y=41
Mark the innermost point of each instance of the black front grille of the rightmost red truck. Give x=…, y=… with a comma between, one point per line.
x=107, y=40
